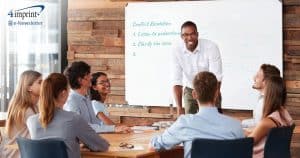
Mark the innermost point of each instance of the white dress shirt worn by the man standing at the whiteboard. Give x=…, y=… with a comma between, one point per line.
x=186, y=64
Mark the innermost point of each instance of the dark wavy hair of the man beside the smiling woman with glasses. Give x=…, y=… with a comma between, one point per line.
x=78, y=69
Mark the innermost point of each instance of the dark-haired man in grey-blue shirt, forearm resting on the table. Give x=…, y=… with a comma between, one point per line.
x=78, y=101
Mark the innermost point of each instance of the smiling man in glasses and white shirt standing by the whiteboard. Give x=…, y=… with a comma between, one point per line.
x=193, y=56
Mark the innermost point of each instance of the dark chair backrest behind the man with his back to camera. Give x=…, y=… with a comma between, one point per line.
x=210, y=148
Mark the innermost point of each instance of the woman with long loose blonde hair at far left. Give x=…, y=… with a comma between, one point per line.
x=21, y=106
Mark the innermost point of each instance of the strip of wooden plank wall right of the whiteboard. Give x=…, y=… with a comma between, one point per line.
x=291, y=53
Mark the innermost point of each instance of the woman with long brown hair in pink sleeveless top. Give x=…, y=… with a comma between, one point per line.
x=274, y=114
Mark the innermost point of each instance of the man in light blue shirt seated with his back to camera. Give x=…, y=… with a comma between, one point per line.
x=207, y=123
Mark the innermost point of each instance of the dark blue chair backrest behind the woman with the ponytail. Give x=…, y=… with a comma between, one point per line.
x=43, y=148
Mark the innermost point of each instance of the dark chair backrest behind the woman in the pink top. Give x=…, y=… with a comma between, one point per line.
x=278, y=142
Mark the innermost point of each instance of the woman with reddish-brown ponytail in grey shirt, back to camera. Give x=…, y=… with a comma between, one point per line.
x=54, y=122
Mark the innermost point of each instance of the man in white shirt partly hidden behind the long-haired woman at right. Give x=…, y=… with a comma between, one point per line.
x=265, y=71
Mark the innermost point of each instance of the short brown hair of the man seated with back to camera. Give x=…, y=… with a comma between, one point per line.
x=205, y=84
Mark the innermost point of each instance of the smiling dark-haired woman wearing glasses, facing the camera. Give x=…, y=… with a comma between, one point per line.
x=99, y=91
